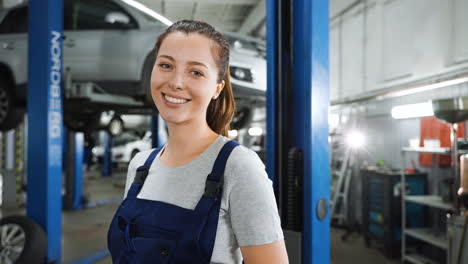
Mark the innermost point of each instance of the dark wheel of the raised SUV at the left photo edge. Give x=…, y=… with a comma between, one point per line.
x=10, y=114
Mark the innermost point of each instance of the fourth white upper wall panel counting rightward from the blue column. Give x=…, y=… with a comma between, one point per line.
x=397, y=39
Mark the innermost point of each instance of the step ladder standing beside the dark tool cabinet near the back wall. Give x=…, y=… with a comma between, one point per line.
x=340, y=180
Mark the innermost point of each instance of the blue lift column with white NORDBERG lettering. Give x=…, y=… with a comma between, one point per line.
x=44, y=203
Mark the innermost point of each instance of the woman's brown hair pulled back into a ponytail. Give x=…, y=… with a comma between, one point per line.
x=220, y=111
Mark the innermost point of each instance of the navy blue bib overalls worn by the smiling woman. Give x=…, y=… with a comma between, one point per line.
x=145, y=231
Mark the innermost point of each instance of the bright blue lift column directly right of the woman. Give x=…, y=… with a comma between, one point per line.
x=311, y=100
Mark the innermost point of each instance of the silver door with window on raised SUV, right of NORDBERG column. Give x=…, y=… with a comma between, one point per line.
x=98, y=46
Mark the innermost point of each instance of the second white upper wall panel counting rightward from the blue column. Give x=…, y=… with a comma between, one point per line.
x=352, y=54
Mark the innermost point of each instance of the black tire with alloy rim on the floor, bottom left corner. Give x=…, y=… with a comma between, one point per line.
x=23, y=233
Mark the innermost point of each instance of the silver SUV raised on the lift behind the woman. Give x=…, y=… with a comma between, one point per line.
x=110, y=43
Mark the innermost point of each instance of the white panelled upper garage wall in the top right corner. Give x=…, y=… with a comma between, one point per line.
x=379, y=45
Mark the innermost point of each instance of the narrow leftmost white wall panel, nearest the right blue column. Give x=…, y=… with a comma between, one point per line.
x=334, y=62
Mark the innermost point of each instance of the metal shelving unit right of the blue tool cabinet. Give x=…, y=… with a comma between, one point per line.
x=434, y=201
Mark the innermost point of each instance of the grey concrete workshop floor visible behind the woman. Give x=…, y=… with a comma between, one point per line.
x=84, y=231
